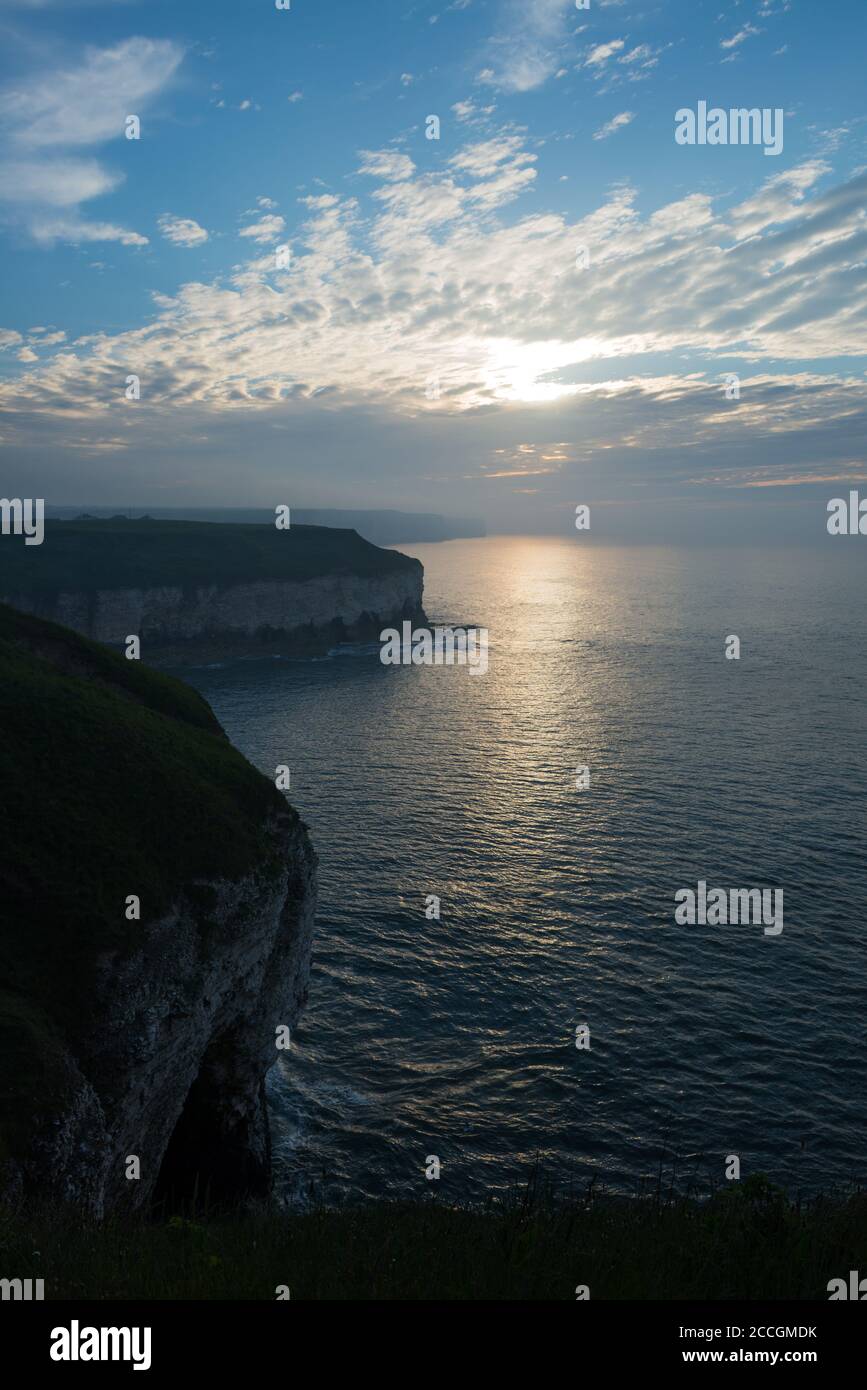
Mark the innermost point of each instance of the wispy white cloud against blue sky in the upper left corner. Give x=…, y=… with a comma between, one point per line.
x=67, y=109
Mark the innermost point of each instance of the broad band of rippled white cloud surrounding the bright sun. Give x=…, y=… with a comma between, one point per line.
x=429, y=276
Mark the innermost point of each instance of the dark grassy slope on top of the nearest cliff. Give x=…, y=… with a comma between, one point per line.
x=115, y=779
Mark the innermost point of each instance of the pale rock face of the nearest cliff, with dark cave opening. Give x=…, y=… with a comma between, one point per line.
x=184, y=1031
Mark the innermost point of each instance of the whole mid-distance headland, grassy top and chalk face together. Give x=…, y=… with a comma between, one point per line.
x=188, y=589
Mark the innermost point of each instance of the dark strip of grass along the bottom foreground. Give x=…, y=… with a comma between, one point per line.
x=748, y=1242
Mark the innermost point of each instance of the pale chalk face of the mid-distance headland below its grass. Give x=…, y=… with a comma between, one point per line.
x=242, y=611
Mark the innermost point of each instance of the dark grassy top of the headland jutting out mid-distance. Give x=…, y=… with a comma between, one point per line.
x=145, y=554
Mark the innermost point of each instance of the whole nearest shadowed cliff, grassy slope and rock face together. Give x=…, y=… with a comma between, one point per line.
x=148, y=1038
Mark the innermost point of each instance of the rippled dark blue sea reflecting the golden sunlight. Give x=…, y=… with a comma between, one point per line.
x=458, y=1038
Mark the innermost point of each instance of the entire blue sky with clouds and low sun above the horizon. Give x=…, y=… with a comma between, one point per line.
x=437, y=256
